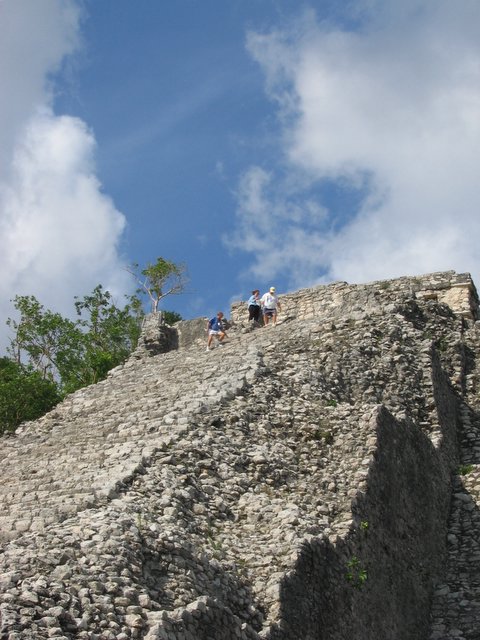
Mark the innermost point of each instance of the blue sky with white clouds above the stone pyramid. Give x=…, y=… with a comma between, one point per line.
x=261, y=143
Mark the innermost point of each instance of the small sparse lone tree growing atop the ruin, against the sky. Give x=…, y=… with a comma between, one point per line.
x=160, y=280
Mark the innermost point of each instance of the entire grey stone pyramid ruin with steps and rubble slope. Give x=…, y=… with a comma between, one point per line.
x=293, y=484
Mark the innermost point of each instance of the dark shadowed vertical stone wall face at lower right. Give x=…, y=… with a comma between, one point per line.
x=378, y=581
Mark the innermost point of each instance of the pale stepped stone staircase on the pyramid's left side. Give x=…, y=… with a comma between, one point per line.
x=80, y=453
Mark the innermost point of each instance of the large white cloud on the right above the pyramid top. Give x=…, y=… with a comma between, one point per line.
x=391, y=108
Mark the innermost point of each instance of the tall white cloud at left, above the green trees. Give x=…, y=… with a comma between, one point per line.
x=59, y=233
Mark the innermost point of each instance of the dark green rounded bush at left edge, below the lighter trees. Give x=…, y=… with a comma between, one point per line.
x=24, y=394
